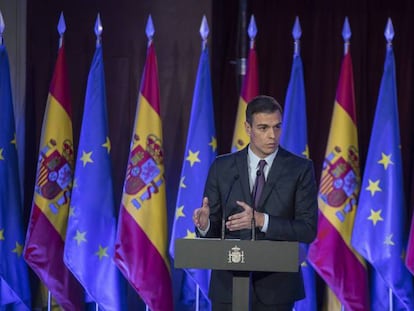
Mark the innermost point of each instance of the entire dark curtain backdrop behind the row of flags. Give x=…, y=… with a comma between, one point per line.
x=177, y=43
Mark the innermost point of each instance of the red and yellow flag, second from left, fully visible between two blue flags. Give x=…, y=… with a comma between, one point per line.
x=141, y=244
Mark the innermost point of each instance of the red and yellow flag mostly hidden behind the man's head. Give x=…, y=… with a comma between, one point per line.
x=250, y=89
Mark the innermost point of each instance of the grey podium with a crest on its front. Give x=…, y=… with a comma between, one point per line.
x=237, y=255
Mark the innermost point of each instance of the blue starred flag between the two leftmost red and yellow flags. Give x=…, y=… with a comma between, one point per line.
x=90, y=235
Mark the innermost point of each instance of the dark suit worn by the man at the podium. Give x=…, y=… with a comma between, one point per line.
x=289, y=198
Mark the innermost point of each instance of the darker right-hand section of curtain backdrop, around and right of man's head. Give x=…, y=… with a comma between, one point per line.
x=322, y=52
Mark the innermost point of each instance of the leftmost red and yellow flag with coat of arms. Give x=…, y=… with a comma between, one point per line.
x=46, y=233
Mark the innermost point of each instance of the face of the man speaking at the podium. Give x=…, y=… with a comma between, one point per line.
x=264, y=132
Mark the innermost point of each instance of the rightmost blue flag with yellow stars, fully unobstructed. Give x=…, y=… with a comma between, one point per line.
x=379, y=230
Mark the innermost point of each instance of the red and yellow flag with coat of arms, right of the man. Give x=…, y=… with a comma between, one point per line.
x=331, y=253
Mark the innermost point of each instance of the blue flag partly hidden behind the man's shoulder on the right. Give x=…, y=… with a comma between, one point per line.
x=294, y=138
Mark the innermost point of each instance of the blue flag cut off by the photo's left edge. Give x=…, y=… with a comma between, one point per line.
x=14, y=280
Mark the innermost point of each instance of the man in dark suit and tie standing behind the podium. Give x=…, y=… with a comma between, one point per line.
x=286, y=210
